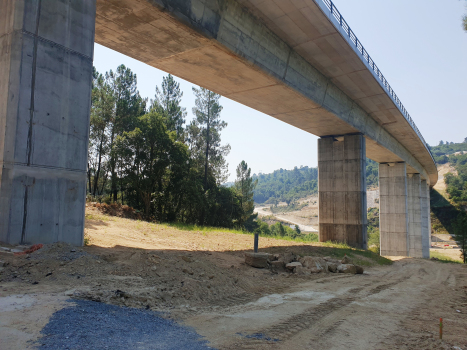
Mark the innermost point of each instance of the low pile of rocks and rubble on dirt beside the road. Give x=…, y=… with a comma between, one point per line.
x=306, y=265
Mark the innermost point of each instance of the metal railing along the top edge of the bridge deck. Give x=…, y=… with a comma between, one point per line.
x=366, y=57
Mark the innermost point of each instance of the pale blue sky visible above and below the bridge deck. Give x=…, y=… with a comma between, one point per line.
x=420, y=47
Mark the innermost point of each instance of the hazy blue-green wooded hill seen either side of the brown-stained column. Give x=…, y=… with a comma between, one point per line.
x=288, y=185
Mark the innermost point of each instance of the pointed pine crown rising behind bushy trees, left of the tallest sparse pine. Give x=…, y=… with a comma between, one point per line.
x=167, y=103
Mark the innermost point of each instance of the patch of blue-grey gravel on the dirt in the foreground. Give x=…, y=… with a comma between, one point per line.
x=93, y=325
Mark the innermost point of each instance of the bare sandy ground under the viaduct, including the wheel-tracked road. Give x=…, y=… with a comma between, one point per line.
x=198, y=278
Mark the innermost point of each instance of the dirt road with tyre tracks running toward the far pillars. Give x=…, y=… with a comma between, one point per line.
x=395, y=307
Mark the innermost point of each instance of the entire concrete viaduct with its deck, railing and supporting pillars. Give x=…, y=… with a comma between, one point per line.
x=295, y=60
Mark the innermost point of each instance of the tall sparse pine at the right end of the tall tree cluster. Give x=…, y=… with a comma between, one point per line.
x=205, y=135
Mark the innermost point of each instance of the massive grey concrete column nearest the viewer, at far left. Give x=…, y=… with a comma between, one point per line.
x=46, y=51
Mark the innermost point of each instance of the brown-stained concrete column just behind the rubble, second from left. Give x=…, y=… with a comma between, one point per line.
x=342, y=190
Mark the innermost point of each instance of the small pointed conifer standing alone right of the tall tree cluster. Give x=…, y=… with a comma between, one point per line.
x=245, y=187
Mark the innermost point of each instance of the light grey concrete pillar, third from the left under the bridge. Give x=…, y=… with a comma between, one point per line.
x=393, y=211
